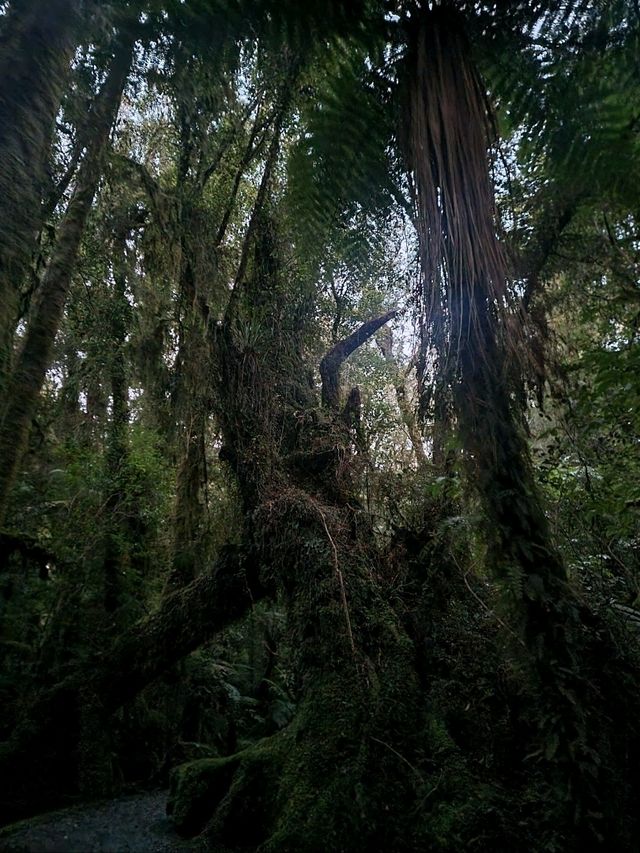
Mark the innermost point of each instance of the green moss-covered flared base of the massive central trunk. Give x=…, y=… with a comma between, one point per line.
x=324, y=783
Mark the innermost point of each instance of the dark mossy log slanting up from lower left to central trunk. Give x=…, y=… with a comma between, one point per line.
x=48, y=737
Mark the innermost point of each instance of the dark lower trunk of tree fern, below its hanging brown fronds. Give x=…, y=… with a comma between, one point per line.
x=584, y=729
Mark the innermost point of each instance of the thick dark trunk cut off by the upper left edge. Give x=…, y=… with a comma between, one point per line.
x=35, y=53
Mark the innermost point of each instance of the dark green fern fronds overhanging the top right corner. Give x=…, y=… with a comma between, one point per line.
x=570, y=82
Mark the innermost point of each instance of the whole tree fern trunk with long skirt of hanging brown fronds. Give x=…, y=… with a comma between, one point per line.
x=472, y=331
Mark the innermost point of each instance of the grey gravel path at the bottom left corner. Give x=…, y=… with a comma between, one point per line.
x=135, y=823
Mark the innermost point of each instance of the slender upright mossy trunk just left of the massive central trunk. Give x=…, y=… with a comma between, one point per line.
x=198, y=283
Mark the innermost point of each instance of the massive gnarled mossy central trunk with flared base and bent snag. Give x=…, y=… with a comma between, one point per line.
x=343, y=774
